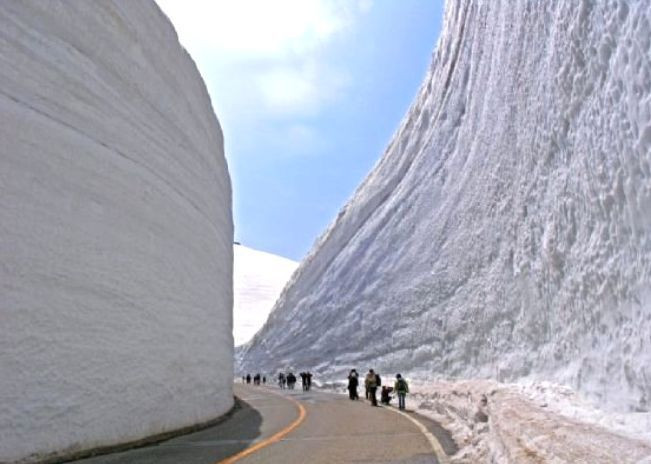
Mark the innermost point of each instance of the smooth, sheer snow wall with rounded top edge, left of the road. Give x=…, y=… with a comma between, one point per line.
x=115, y=231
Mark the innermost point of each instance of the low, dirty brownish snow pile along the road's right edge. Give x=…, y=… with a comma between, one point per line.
x=534, y=423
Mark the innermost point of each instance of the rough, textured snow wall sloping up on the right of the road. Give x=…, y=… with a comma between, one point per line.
x=506, y=231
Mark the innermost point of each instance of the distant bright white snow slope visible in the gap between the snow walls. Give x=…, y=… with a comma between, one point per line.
x=258, y=279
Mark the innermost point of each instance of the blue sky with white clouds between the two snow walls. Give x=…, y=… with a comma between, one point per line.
x=308, y=94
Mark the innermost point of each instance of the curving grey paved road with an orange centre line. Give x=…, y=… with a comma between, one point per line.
x=333, y=430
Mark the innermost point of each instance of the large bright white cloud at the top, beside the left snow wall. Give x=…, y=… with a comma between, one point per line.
x=265, y=60
